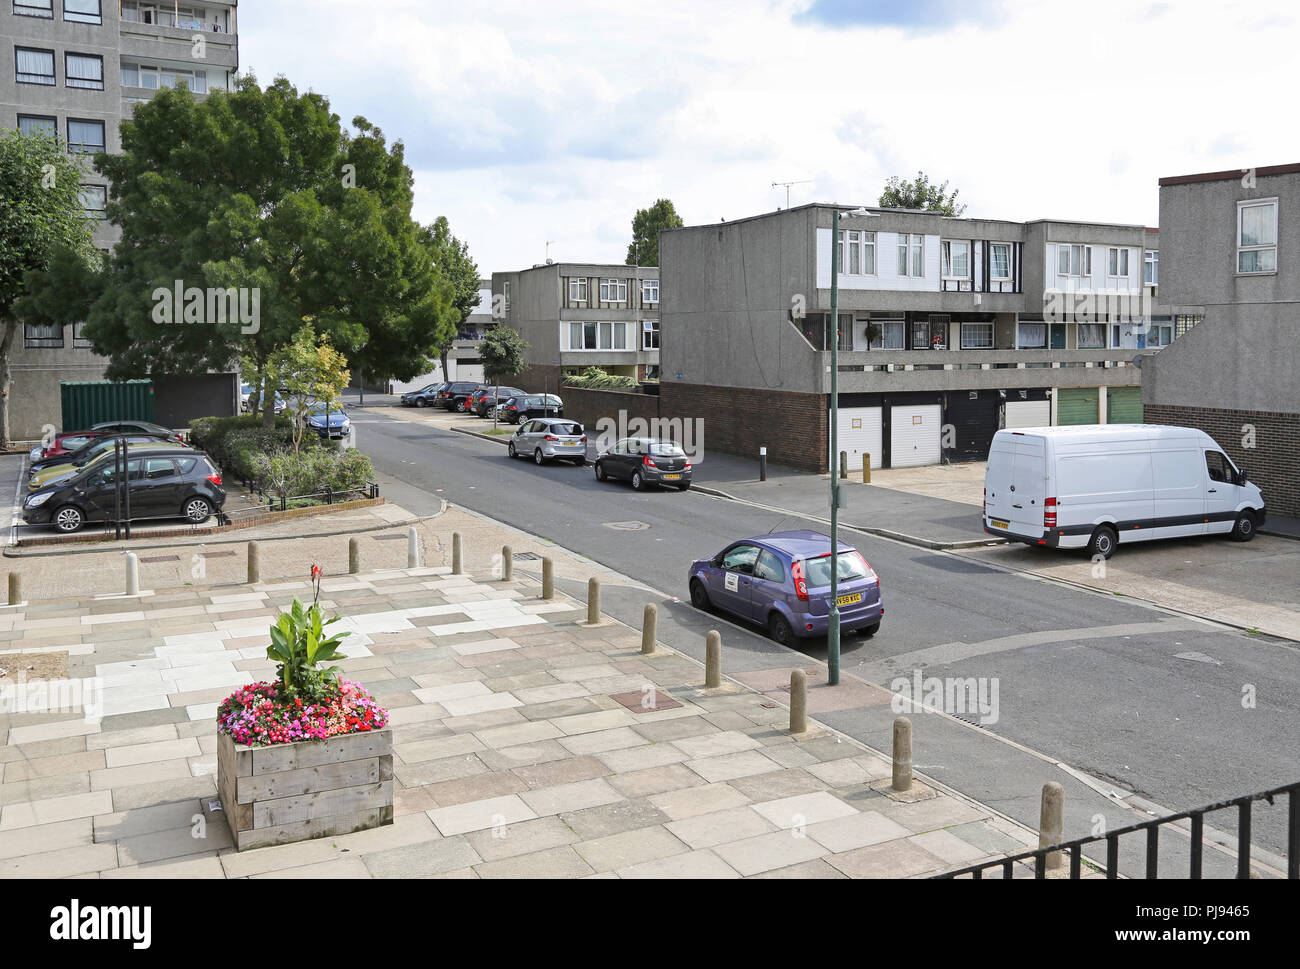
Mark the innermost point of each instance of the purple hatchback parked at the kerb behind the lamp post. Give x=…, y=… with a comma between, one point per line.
x=783, y=582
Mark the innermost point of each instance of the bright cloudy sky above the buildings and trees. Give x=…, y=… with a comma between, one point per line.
x=530, y=124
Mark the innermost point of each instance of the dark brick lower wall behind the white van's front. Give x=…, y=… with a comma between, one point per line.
x=1273, y=464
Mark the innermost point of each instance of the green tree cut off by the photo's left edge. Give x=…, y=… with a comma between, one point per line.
x=42, y=217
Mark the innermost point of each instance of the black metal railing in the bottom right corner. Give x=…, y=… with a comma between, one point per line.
x=1197, y=816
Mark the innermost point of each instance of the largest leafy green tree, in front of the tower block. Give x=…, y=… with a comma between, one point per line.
x=258, y=201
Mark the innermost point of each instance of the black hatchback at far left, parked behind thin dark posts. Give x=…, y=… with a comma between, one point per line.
x=164, y=483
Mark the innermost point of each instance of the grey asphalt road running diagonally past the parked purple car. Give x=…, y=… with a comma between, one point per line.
x=1178, y=711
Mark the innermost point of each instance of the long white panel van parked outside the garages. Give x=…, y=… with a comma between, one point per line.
x=1094, y=486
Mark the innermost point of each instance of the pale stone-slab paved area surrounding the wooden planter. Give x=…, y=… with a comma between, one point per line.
x=527, y=745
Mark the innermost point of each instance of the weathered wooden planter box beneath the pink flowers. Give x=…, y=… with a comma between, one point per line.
x=314, y=789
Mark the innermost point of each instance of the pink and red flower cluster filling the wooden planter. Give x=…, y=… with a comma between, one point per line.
x=258, y=716
